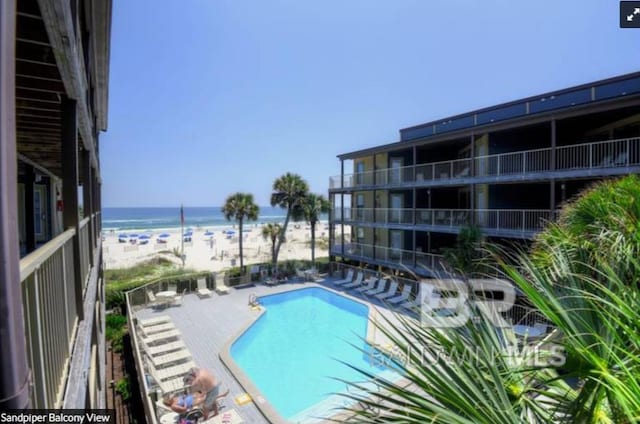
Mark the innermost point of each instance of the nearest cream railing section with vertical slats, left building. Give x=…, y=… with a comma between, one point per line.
x=50, y=316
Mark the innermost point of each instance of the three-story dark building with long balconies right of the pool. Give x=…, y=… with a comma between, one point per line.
x=506, y=169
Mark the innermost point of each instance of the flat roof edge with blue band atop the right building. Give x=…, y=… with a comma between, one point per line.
x=555, y=102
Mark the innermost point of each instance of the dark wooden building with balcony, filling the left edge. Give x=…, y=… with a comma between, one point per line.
x=54, y=75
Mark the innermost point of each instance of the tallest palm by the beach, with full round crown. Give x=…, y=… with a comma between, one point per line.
x=288, y=192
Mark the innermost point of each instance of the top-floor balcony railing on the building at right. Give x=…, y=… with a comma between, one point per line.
x=597, y=155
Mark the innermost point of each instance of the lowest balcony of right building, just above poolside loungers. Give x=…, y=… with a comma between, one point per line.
x=425, y=264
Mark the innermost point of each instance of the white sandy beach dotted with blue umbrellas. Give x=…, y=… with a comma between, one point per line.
x=216, y=252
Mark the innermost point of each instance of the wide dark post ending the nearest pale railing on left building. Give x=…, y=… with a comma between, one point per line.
x=70, y=216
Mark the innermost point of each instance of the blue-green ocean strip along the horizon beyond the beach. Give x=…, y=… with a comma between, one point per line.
x=147, y=219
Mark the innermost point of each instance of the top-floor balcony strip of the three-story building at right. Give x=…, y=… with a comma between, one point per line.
x=579, y=160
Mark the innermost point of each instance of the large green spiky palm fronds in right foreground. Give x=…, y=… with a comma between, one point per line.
x=582, y=276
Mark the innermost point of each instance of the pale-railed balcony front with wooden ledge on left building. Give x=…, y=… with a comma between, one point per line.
x=61, y=303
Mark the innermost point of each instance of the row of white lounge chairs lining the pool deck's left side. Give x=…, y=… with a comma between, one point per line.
x=167, y=358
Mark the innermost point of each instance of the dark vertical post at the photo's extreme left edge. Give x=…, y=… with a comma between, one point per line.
x=14, y=374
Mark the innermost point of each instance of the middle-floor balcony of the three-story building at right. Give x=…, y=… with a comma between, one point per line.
x=501, y=222
